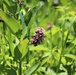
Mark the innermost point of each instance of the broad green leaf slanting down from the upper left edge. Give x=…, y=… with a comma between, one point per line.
x=10, y=21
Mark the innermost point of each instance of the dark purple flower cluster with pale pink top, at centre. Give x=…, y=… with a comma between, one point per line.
x=38, y=37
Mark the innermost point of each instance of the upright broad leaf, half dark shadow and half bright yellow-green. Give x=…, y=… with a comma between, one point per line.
x=21, y=50
